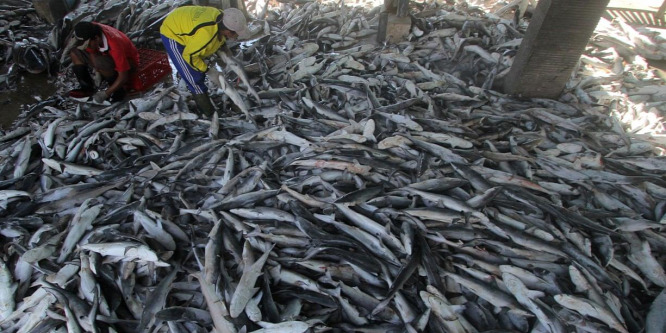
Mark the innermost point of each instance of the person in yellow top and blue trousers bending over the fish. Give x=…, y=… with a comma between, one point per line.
x=192, y=33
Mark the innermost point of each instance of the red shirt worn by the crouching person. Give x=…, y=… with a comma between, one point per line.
x=120, y=48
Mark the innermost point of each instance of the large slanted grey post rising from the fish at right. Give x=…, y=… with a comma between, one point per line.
x=555, y=39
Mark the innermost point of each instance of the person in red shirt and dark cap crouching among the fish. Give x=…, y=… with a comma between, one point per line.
x=108, y=51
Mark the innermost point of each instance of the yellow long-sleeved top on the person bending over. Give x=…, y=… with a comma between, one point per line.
x=195, y=28
